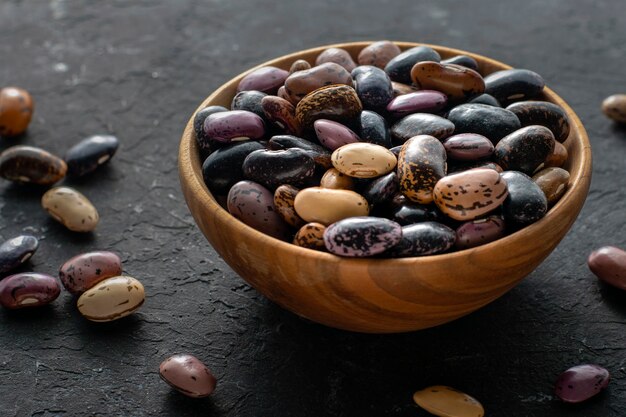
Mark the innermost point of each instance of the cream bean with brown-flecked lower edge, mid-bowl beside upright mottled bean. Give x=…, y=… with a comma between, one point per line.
x=364, y=160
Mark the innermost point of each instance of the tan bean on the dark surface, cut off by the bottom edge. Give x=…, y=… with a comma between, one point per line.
x=448, y=402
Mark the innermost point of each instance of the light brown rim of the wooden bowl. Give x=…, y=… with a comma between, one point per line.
x=190, y=171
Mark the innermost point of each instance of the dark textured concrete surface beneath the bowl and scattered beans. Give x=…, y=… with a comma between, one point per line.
x=138, y=70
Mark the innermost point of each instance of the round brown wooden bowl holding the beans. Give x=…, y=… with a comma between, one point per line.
x=381, y=295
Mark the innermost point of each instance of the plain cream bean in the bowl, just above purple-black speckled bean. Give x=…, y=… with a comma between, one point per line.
x=326, y=206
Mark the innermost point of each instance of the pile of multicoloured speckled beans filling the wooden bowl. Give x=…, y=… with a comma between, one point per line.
x=401, y=154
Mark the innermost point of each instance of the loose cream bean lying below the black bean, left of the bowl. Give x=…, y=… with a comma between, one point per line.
x=71, y=208
